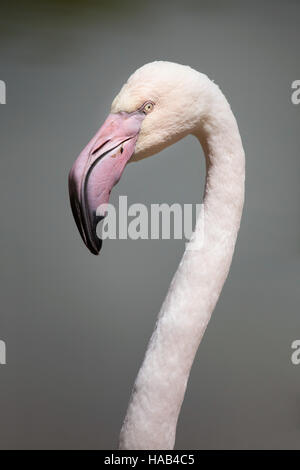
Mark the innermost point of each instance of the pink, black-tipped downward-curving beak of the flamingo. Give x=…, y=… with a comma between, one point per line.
x=98, y=168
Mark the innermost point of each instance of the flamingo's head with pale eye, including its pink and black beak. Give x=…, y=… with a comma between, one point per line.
x=159, y=105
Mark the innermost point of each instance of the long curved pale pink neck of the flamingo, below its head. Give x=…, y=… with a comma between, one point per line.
x=160, y=386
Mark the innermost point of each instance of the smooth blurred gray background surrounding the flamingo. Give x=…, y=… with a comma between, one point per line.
x=76, y=326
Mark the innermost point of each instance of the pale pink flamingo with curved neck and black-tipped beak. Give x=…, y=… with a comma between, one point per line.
x=161, y=103
